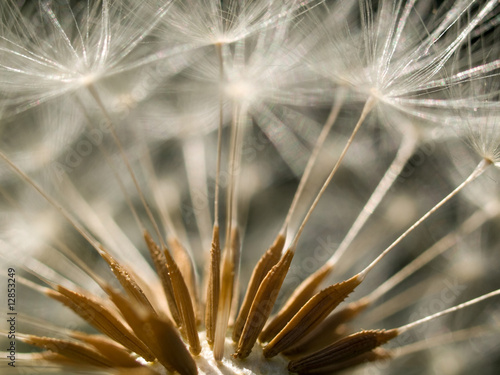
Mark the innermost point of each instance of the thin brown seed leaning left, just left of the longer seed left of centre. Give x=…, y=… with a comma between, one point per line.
x=160, y=264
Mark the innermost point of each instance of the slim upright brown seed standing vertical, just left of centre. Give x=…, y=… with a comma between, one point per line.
x=213, y=288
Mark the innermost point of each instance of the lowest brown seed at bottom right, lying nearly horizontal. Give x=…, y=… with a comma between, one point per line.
x=343, y=350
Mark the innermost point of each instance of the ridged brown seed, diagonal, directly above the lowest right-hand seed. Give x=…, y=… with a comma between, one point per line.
x=311, y=315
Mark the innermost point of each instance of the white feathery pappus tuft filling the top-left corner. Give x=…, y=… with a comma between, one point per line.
x=68, y=48
